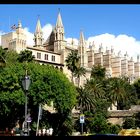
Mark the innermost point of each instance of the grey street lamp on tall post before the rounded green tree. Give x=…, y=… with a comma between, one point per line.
x=26, y=83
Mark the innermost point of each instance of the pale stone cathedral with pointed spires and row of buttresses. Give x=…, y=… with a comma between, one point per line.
x=55, y=49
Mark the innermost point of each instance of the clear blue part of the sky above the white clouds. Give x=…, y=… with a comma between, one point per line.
x=93, y=19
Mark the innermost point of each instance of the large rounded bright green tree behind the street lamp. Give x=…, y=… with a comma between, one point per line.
x=48, y=84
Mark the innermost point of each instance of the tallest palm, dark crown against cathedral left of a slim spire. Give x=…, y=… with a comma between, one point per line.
x=72, y=61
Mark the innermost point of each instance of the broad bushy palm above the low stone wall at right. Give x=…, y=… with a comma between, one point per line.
x=121, y=91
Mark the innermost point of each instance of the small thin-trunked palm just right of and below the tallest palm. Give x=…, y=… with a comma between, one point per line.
x=80, y=71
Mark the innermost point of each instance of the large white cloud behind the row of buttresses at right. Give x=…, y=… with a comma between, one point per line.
x=121, y=42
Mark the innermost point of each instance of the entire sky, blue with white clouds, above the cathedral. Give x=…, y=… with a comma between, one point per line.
x=113, y=25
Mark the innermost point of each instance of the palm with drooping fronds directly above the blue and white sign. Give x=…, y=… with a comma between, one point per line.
x=85, y=99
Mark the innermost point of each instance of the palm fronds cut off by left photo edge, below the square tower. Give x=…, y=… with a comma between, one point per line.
x=2, y=57
